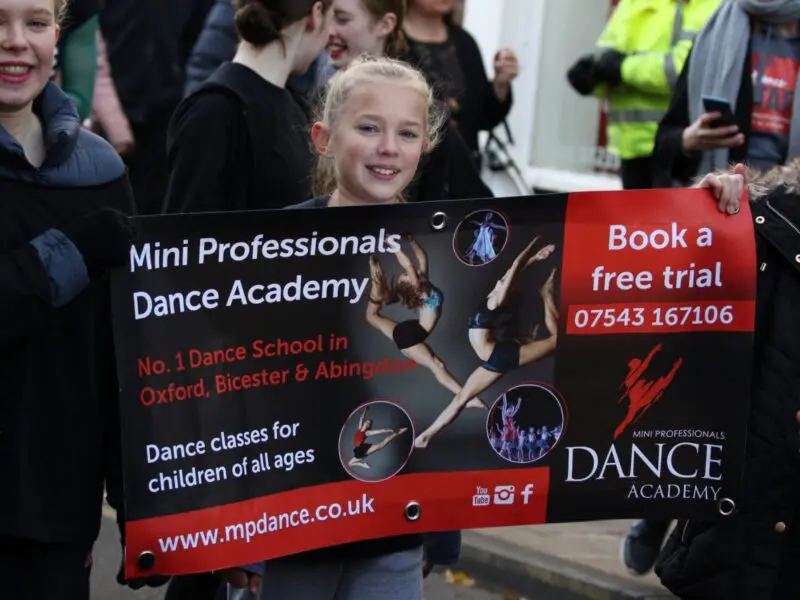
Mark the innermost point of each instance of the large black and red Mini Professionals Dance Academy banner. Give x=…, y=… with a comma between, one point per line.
x=299, y=379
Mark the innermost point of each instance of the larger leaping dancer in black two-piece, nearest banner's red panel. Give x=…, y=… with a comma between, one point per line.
x=501, y=355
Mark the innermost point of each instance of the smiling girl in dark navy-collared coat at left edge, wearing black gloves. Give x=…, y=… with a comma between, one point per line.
x=64, y=196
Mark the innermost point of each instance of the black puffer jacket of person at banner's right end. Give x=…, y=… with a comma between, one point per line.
x=755, y=554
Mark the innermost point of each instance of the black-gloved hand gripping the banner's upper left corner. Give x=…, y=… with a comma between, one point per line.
x=103, y=237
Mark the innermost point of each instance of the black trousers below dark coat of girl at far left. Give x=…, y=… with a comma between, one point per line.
x=31, y=570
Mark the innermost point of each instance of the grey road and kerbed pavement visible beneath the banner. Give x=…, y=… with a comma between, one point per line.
x=571, y=561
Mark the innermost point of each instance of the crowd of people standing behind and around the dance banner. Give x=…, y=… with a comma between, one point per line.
x=111, y=108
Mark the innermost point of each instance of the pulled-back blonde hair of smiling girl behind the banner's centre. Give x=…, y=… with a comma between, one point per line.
x=339, y=89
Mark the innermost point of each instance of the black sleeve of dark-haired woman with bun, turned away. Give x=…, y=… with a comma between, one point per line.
x=206, y=144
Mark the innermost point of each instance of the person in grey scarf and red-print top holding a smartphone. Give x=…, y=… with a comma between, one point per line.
x=736, y=99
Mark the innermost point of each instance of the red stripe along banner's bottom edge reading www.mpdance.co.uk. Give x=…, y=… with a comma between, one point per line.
x=333, y=514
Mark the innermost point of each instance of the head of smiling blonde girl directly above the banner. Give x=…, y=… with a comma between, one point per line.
x=379, y=119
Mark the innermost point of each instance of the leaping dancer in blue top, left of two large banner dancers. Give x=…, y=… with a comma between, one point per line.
x=414, y=290
